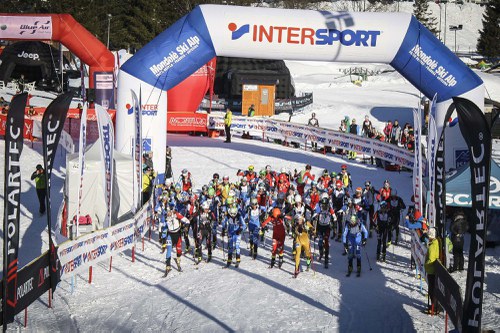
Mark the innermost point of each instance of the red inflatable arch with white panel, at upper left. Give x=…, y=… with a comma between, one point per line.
x=65, y=29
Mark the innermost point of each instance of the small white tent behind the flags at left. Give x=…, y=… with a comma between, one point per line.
x=93, y=202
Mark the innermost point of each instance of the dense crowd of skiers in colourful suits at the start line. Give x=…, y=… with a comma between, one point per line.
x=311, y=209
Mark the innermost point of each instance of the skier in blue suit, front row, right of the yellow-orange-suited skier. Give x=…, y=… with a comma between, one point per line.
x=354, y=237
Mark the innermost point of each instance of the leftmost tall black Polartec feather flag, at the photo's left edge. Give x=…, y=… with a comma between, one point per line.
x=14, y=136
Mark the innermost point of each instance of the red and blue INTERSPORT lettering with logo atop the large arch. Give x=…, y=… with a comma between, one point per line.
x=309, y=36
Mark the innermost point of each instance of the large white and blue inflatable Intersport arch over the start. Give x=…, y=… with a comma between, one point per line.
x=397, y=39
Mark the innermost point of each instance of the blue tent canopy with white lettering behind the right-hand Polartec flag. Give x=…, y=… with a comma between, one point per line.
x=458, y=188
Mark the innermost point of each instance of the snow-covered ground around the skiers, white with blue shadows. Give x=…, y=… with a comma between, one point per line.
x=135, y=297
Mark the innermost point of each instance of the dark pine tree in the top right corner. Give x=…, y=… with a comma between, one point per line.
x=488, y=44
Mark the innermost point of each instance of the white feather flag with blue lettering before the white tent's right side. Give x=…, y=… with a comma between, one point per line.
x=107, y=137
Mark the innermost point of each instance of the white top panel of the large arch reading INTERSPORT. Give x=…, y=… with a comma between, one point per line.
x=305, y=34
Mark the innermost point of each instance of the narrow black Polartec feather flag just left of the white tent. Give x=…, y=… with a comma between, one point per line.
x=52, y=126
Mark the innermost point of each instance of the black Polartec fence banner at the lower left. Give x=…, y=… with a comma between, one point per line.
x=33, y=281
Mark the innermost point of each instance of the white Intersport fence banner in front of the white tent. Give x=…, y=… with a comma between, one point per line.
x=76, y=256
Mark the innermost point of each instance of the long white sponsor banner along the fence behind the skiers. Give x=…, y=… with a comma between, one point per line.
x=303, y=134
